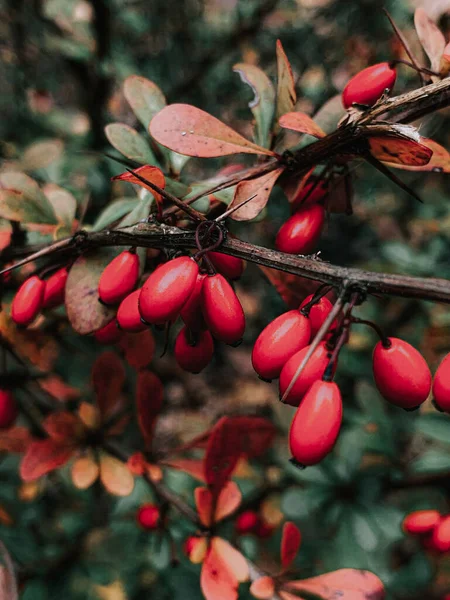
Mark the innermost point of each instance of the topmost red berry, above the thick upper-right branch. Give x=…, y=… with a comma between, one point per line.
x=367, y=86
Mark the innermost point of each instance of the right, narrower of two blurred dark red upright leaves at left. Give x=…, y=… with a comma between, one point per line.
x=149, y=399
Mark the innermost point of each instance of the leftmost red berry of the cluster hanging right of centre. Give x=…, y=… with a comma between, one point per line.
x=277, y=342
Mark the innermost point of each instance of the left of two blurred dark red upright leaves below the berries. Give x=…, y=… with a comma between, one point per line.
x=108, y=377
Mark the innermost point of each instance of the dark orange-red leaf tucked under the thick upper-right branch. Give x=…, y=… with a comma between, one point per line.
x=399, y=151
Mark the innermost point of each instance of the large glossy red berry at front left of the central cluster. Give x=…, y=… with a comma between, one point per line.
x=167, y=289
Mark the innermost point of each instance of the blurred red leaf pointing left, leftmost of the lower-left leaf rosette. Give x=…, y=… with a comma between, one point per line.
x=42, y=457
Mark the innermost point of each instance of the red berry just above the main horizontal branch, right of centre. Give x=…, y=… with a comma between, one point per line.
x=301, y=232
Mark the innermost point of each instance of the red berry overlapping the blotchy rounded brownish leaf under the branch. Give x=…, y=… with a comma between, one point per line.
x=119, y=278
